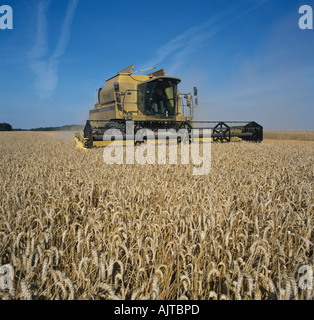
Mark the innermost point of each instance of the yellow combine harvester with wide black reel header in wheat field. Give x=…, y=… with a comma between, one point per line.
x=153, y=102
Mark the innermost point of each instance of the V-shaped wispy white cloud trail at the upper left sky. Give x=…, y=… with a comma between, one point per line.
x=46, y=68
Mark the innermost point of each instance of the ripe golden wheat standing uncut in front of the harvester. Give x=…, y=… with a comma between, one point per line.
x=72, y=227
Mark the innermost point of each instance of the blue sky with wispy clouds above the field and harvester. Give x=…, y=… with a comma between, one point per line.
x=248, y=58
